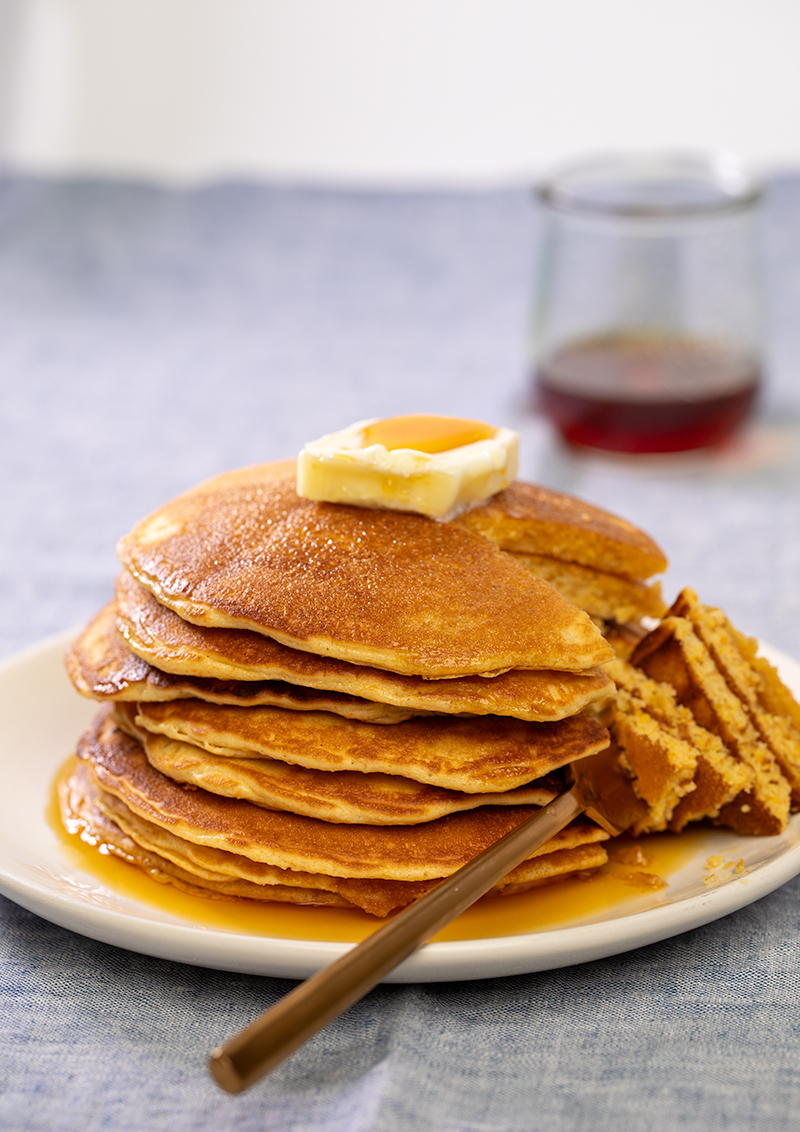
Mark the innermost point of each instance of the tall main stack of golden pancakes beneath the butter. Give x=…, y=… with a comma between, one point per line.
x=321, y=704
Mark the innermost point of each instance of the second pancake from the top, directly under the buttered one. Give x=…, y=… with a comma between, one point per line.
x=170, y=645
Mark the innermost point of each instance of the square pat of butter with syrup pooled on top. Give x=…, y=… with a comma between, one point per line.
x=434, y=466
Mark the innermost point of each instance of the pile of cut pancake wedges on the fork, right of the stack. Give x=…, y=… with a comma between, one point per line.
x=707, y=727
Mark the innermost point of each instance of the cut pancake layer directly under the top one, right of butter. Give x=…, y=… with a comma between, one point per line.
x=599, y=594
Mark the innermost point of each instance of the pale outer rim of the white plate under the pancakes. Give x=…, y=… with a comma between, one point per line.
x=442, y=962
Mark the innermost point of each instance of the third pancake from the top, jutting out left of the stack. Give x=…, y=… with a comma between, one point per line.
x=102, y=667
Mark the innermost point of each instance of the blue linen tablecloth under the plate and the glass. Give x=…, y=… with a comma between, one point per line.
x=151, y=338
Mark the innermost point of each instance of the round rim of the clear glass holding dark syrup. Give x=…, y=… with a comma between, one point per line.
x=652, y=185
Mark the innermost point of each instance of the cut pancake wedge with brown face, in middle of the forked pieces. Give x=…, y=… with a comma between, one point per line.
x=675, y=655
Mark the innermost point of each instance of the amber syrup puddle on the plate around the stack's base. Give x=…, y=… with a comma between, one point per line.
x=638, y=868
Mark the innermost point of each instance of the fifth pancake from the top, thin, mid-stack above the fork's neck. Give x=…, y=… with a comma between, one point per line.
x=340, y=796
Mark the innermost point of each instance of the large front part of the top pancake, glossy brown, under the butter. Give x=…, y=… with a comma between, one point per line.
x=385, y=589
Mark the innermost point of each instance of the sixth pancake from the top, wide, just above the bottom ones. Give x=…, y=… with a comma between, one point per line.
x=427, y=852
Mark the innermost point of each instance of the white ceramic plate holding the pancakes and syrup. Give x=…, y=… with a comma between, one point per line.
x=42, y=719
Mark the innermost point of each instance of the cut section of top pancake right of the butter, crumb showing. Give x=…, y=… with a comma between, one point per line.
x=534, y=520
